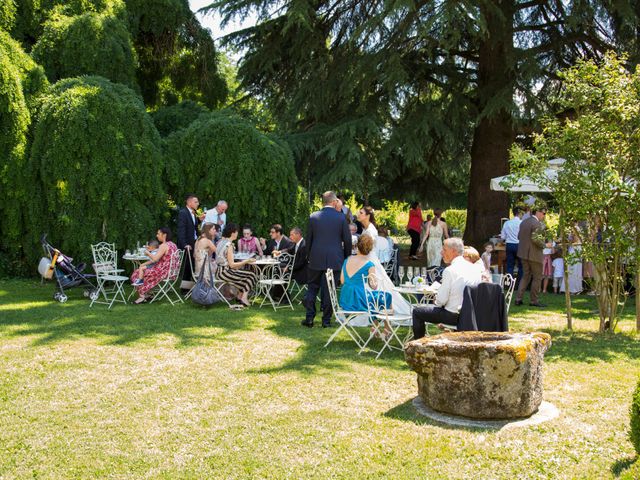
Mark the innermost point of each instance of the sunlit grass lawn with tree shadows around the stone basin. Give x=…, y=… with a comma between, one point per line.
x=162, y=392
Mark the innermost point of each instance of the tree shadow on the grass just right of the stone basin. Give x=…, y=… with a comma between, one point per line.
x=589, y=347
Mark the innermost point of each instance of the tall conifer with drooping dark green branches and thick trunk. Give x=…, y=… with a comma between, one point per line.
x=406, y=94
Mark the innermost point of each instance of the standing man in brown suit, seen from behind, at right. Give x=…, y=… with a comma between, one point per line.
x=530, y=244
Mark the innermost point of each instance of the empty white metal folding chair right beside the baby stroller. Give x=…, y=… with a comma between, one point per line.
x=105, y=264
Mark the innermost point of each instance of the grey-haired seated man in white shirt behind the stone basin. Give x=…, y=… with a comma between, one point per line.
x=455, y=278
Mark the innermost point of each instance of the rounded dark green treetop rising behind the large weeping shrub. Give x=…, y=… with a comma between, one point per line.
x=87, y=44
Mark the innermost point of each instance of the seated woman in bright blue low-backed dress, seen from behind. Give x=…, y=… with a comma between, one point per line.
x=353, y=296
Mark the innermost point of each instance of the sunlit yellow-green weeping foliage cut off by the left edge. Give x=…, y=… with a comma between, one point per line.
x=21, y=80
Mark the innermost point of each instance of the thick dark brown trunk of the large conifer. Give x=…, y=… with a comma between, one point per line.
x=494, y=133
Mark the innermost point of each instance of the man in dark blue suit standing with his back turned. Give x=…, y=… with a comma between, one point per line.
x=328, y=244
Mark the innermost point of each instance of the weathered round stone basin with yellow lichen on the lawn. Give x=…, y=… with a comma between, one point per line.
x=491, y=375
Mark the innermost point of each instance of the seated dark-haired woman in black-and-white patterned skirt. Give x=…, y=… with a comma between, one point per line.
x=230, y=271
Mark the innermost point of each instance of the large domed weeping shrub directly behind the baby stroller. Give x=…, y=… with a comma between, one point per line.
x=97, y=168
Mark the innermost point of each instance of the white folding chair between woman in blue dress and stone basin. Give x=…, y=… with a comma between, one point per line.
x=379, y=310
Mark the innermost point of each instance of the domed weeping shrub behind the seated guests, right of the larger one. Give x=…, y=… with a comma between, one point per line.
x=221, y=156
